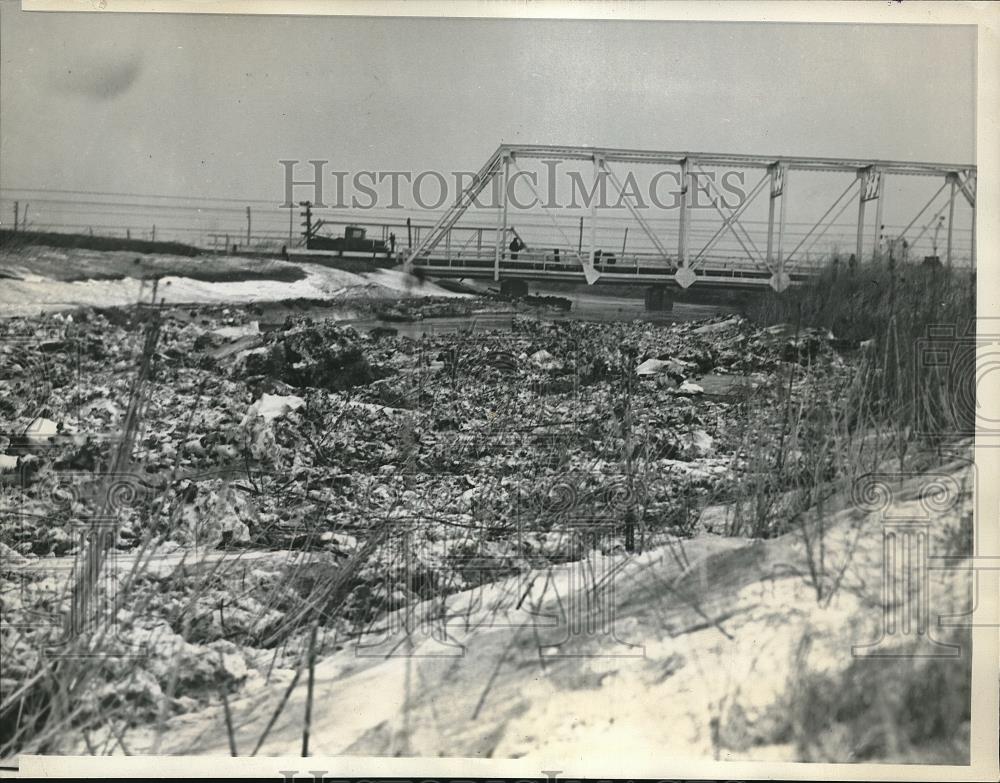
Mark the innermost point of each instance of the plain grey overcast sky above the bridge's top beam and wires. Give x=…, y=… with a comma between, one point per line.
x=206, y=105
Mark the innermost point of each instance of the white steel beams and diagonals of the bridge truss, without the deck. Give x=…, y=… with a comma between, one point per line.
x=867, y=186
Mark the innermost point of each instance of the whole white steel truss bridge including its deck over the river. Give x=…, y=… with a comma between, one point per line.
x=775, y=264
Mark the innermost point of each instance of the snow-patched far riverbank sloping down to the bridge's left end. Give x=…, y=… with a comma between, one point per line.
x=39, y=279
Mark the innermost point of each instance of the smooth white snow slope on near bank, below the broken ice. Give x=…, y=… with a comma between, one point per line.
x=719, y=647
